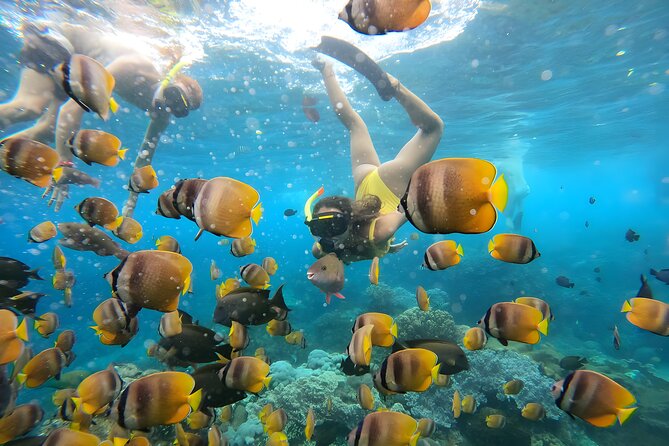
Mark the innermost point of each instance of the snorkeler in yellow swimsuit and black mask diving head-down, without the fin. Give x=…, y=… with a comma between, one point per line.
x=364, y=228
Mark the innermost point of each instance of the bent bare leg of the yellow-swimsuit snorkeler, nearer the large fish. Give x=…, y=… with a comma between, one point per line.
x=420, y=149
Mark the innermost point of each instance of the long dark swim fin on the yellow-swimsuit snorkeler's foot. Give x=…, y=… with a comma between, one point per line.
x=352, y=56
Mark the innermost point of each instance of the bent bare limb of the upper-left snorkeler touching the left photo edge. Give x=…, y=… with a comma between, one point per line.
x=35, y=92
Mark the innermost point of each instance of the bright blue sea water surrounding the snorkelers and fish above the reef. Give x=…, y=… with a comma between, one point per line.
x=569, y=95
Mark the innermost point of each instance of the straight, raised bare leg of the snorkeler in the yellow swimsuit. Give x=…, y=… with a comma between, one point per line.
x=363, y=154
